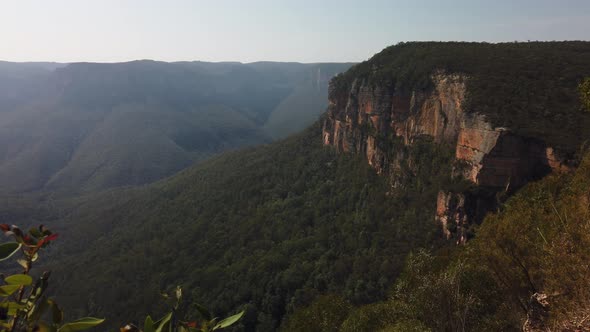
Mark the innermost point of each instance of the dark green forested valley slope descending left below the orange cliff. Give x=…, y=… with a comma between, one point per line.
x=266, y=229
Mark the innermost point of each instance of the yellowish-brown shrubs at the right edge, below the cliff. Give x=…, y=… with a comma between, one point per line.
x=540, y=243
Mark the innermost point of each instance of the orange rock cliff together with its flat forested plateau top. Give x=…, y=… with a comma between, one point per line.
x=511, y=111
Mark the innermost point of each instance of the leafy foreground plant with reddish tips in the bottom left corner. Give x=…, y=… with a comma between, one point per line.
x=24, y=305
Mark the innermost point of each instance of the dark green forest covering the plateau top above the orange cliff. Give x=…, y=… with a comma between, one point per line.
x=527, y=87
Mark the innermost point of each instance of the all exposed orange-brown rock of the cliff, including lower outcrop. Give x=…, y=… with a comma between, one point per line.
x=360, y=117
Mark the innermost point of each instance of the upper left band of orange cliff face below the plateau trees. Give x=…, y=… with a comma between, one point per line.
x=356, y=118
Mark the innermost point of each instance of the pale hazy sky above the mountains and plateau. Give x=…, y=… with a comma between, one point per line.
x=269, y=30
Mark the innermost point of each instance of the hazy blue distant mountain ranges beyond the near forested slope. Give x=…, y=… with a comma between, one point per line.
x=89, y=126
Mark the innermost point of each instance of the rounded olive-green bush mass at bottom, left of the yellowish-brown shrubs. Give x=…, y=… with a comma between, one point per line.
x=436, y=294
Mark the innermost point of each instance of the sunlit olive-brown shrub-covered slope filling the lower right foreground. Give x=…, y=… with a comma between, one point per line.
x=538, y=243
